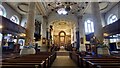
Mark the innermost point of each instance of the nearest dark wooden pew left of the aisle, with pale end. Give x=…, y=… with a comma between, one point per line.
x=27, y=61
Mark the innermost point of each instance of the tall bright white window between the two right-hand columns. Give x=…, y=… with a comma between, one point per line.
x=89, y=26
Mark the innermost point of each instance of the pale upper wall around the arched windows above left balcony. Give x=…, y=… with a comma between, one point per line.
x=10, y=12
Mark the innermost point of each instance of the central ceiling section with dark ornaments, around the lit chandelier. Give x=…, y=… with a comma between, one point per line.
x=76, y=7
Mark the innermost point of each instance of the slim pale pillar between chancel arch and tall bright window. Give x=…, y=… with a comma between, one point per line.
x=82, y=34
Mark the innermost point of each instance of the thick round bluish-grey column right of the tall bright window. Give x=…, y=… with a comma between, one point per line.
x=97, y=21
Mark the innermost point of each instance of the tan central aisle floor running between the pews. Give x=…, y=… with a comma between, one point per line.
x=63, y=60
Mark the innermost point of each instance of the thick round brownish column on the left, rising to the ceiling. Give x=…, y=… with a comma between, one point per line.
x=30, y=26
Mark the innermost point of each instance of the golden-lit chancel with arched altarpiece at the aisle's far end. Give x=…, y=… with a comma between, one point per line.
x=62, y=32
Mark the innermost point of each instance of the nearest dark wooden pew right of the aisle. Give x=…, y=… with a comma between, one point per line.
x=93, y=63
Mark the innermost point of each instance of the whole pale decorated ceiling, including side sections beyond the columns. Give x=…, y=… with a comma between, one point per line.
x=45, y=8
